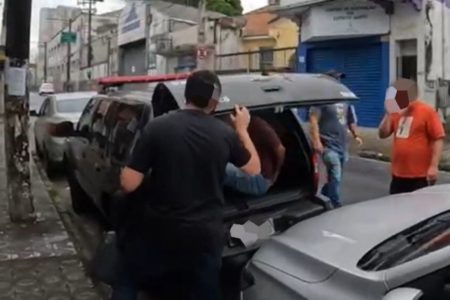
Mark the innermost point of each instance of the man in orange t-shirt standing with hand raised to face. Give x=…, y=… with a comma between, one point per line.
x=417, y=143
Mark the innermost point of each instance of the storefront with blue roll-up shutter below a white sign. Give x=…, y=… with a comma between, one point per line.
x=350, y=37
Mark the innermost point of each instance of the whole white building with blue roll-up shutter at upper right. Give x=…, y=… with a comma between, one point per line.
x=375, y=42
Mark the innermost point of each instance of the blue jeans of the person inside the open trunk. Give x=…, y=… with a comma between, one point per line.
x=236, y=179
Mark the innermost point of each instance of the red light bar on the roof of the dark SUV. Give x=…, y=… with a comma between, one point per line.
x=120, y=80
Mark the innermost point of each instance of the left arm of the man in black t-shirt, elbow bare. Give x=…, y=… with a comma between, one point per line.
x=133, y=174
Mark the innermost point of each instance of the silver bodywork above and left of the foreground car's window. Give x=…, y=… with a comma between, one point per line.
x=313, y=249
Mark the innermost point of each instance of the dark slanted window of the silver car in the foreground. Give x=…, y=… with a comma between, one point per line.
x=423, y=238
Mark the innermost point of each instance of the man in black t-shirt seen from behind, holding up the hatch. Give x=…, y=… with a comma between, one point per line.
x=177, y=240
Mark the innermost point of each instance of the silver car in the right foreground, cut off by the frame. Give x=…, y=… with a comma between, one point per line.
x=393, y=248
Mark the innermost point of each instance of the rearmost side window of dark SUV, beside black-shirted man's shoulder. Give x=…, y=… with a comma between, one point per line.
x=125, y=127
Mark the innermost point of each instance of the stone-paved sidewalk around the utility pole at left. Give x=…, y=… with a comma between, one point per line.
x=38, y=261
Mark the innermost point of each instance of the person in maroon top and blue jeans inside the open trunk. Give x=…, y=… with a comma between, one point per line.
x=271, y=153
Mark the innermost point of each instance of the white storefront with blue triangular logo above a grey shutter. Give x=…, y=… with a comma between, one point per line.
x=131, y=40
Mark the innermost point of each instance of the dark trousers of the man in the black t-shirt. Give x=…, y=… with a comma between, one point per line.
x=172, y=276
